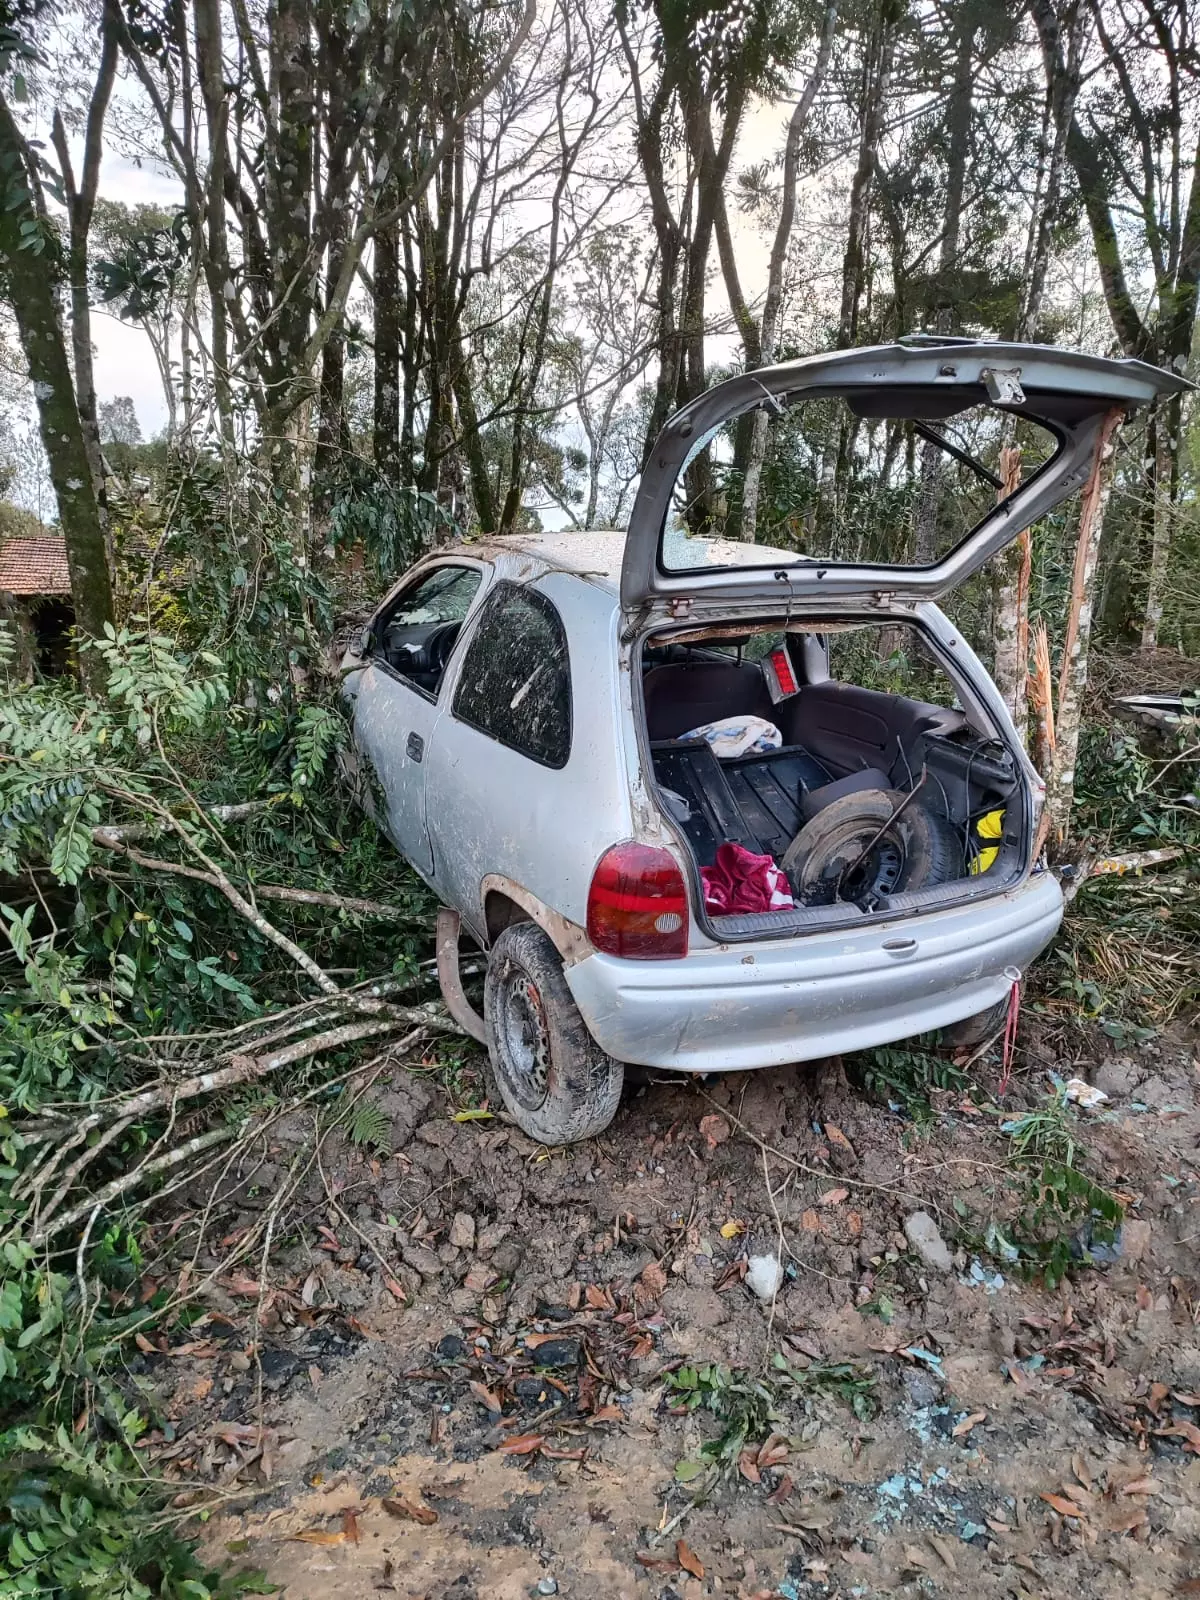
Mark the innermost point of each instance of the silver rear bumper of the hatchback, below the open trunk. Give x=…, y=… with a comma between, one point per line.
x=727, y=1009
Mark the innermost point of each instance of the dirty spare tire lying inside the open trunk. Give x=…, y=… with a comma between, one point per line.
x=865, y=847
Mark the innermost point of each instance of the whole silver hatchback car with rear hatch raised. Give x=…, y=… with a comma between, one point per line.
x=670, y=780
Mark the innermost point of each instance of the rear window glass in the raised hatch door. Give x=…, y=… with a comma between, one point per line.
x=820, y=481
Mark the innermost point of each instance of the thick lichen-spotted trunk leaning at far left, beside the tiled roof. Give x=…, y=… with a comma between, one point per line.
x=33, y=270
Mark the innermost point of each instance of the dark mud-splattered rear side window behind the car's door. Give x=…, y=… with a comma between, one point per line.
x=516, y=682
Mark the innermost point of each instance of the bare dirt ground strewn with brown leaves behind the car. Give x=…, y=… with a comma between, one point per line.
x=455, y=1377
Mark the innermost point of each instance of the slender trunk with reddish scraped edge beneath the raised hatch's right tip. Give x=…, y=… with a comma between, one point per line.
x=1073, y=678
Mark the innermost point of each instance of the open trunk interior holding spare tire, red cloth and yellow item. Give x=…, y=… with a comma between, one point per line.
x=950, y=786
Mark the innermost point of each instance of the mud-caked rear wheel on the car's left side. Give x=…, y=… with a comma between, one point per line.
x=545, y=1066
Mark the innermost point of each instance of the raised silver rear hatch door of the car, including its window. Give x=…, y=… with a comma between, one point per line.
x=905, y=436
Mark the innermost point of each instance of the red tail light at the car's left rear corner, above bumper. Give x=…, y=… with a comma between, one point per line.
x=638, y=905
